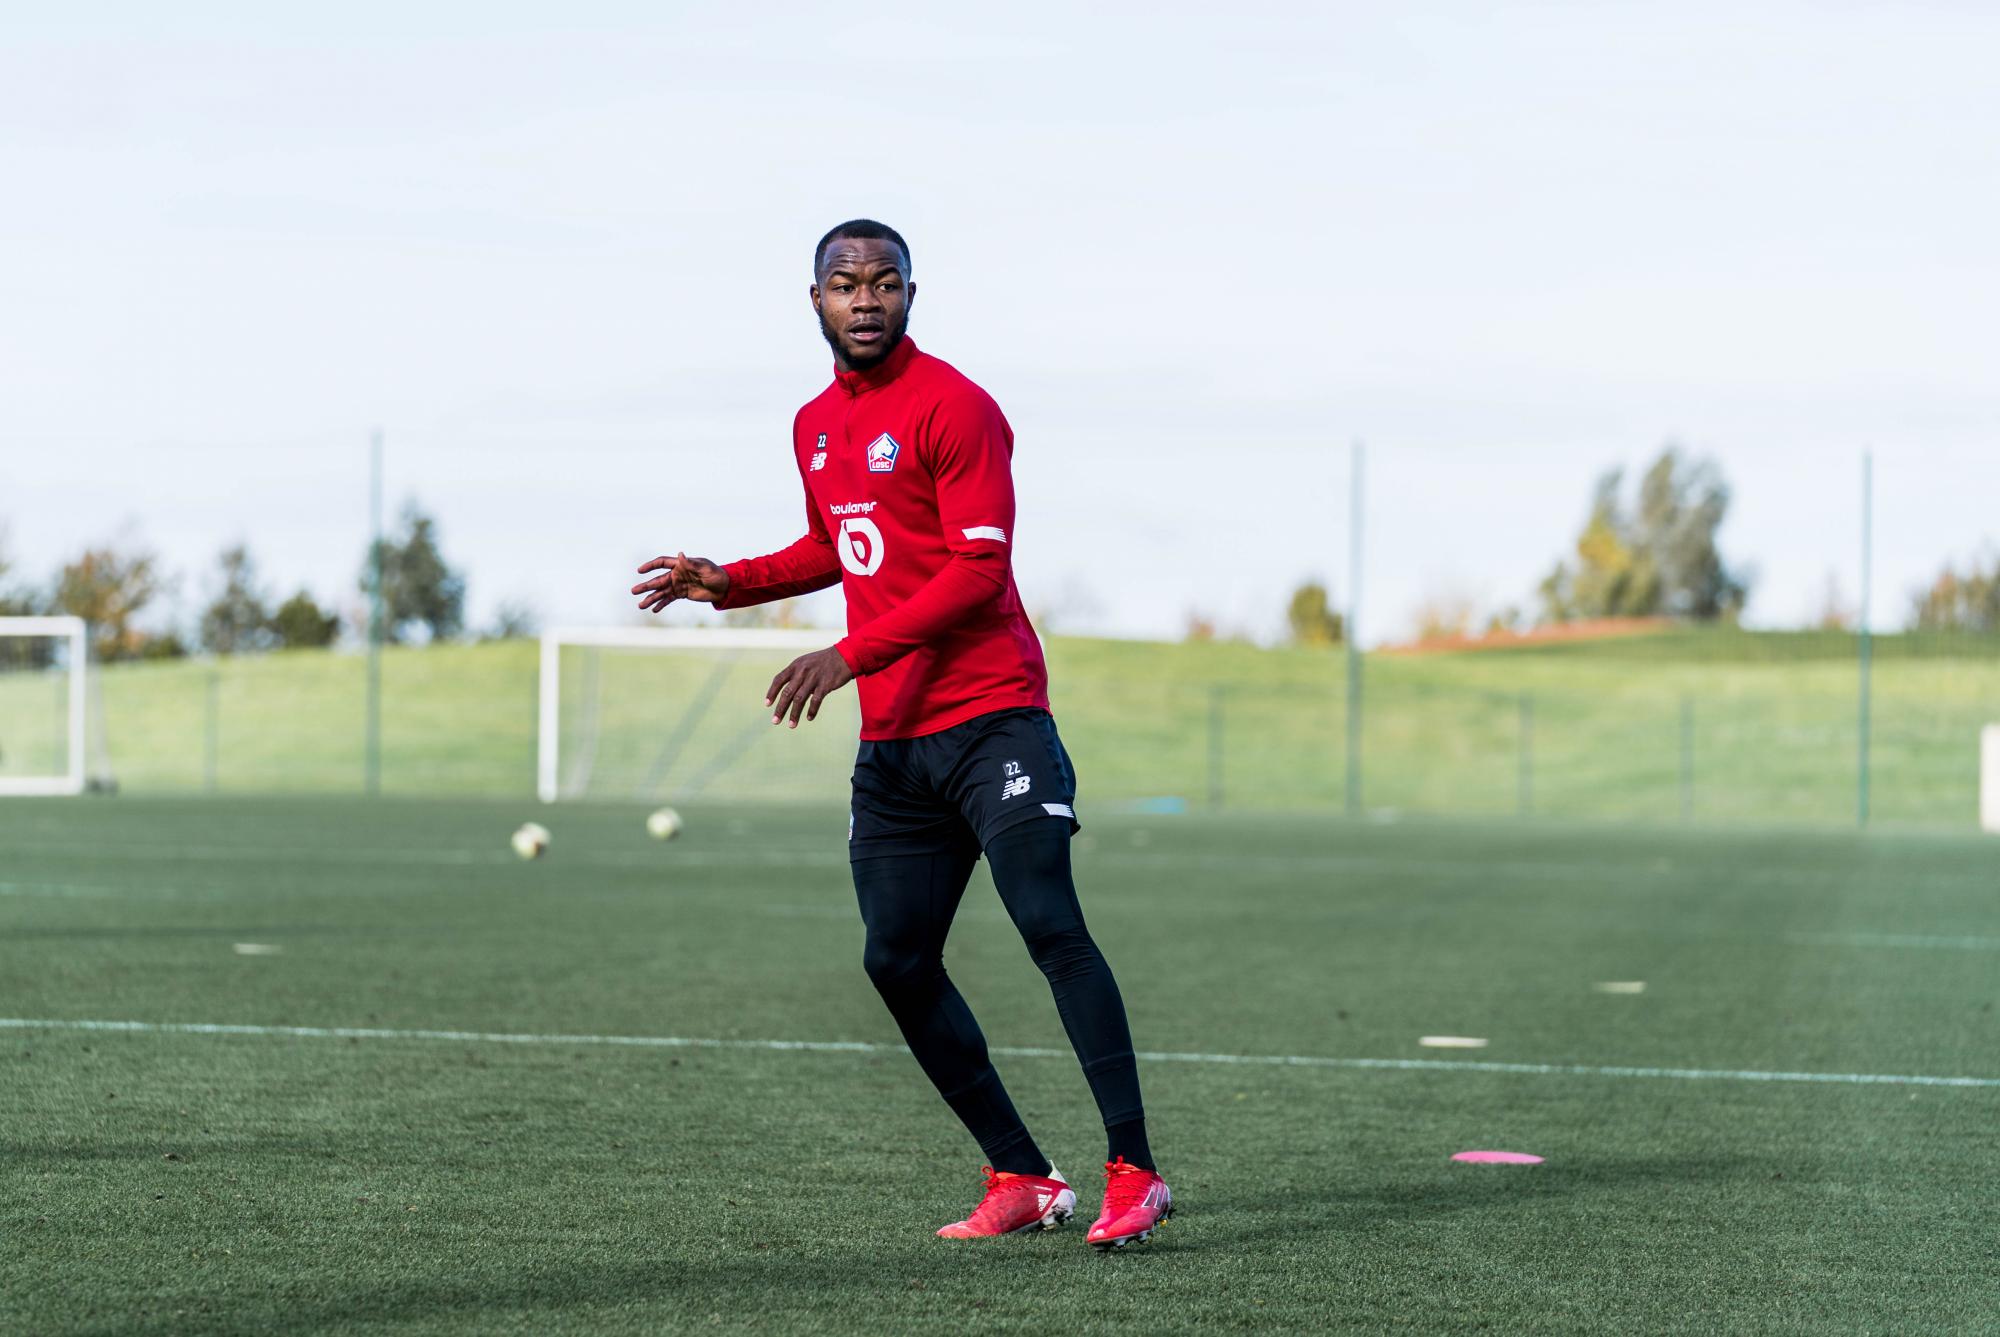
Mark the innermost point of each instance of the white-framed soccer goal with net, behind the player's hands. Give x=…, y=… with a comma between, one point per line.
x=679, y=714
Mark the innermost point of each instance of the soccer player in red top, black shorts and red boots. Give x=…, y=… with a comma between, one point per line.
x=911, y=507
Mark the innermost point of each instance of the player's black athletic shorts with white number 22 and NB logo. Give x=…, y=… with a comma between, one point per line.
x=963, y=786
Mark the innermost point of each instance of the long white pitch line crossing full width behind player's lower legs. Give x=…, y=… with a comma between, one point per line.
x=869, y=1048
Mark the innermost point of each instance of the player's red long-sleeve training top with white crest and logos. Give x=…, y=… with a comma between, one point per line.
x=911, y=507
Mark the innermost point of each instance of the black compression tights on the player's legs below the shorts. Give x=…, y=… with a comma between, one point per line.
x=909, y=902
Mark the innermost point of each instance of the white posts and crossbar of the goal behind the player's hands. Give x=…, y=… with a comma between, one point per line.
x=677, y=700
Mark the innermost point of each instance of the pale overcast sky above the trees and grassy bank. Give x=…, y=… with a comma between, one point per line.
x=561, y=255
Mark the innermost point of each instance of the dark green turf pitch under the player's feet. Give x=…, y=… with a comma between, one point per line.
x=395, y=1184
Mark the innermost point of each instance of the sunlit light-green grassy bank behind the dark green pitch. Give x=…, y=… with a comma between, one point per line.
x=1679, y=724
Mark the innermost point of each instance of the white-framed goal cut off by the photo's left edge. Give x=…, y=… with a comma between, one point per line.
x=43, y=706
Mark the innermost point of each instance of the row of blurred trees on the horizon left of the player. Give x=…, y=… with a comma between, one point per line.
x=119, y=591
